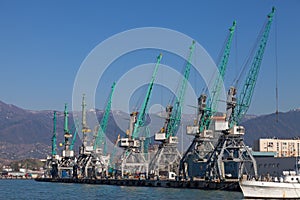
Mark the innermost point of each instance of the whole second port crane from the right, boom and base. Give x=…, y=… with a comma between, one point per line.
x=198, y=152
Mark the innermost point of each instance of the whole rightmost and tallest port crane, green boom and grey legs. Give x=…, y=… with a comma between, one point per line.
x=231, y=158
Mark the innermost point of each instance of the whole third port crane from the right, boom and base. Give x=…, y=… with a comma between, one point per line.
x=167, y=156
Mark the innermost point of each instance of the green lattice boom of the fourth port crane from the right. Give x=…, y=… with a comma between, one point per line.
x=141, y=115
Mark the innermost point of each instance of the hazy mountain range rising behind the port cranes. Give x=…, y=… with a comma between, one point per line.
x=27, y=133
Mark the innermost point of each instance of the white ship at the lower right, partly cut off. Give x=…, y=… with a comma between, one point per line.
x=286, y=187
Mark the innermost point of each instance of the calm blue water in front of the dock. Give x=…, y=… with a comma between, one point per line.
x=30, y=189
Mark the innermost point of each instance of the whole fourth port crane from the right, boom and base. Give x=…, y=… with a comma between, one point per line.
x=132, y=158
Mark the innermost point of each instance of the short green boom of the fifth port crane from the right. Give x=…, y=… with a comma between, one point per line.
x=100, y=136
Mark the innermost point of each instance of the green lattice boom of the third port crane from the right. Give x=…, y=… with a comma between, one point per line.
x=175, y=117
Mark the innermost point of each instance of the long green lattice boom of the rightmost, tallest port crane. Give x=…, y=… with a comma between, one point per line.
x=246, y=94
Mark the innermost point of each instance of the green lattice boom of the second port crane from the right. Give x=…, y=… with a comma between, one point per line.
x=212, y=101
